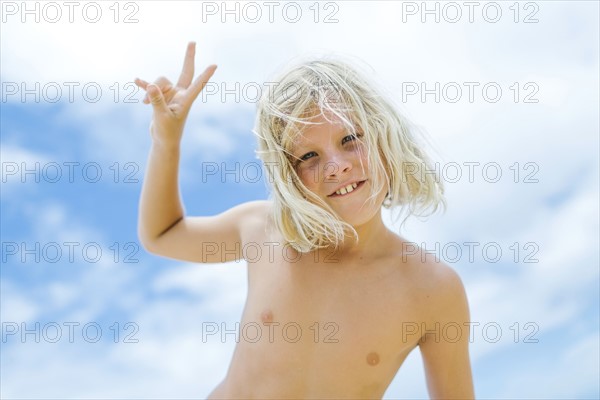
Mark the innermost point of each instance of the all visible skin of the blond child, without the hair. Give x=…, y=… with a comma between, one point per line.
x=326, y=324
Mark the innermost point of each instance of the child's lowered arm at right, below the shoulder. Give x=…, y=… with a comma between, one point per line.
x=445, y=348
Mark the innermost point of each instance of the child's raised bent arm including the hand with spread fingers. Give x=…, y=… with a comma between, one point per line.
x=163, y=228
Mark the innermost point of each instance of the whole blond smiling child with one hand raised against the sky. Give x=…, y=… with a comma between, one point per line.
x=335, y=301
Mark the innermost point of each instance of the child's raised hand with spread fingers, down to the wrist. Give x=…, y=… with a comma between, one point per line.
x=171, y=104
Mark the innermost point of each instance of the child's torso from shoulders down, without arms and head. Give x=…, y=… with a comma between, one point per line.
x=316, y=328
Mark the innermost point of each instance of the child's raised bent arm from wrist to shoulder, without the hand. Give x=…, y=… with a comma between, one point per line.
x=164, y=230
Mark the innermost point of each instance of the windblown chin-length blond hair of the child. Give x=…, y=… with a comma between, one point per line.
x=330, y=86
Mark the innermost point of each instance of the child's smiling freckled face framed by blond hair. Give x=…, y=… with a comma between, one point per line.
x=327, y=158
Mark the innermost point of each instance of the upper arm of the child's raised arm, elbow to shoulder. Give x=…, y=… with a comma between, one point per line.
x=209, y=239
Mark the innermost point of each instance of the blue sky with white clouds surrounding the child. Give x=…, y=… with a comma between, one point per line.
x=111, y=321
